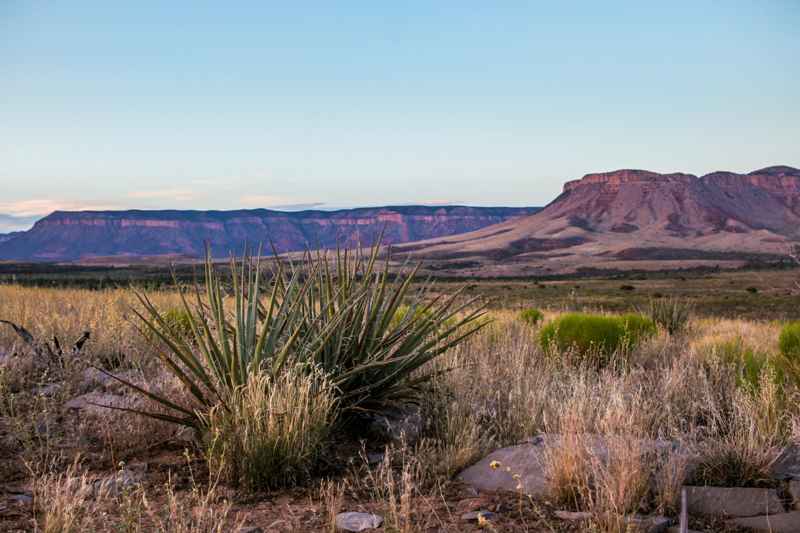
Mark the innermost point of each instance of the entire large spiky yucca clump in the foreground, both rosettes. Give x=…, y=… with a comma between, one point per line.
x=330, y=316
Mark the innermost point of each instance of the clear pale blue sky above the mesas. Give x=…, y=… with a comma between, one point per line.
x=226, y=105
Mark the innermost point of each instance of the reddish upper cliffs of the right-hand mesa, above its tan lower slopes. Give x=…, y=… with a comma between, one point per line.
x=683, y=204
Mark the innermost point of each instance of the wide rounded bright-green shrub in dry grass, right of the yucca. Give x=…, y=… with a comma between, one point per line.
x=602, y=335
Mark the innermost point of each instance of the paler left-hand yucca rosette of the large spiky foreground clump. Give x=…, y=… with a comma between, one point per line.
x=226, y=342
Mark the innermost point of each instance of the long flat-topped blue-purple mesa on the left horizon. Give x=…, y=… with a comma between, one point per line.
x=69, y=236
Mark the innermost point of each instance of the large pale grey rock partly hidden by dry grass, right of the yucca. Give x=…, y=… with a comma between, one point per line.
x=526, y=461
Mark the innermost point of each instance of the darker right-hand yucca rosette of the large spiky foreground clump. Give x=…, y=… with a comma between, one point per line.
x=382, y=335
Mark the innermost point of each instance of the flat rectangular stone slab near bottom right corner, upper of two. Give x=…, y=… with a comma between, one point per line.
x=732, y=501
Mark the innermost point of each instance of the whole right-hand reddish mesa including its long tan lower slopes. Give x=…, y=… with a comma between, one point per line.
x=638, y=219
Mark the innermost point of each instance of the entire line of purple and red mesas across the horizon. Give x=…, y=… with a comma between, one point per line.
x=625, y=219
